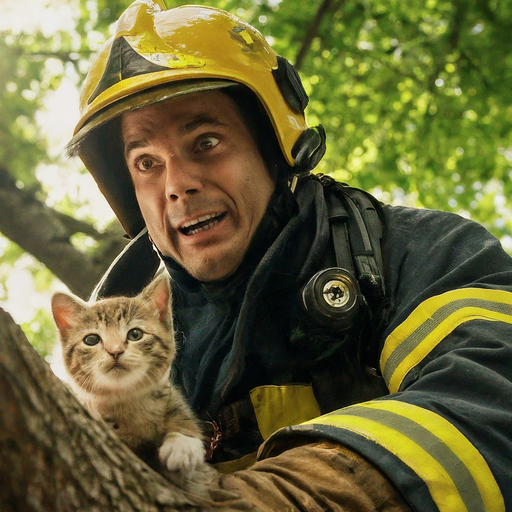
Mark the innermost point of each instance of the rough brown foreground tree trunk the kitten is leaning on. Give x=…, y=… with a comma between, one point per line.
x=54, y=457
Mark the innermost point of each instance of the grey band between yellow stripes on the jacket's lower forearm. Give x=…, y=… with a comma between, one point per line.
x=456, y=469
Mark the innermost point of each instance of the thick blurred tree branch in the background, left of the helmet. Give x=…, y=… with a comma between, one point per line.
x=46, y=235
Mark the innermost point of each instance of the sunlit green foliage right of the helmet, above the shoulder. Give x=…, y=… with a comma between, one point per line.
x=414, y=96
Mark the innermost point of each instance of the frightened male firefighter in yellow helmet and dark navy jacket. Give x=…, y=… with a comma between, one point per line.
x=343, y=354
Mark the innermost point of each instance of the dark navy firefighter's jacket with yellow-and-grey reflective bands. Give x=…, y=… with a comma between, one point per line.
x=439, y=420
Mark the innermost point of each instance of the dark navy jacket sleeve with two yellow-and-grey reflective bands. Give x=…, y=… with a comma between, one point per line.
x=443, y=435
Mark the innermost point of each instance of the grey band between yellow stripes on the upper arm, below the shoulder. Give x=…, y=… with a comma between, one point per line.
x=417, y=337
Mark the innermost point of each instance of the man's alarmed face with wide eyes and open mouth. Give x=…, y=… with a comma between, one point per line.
x=200, y=180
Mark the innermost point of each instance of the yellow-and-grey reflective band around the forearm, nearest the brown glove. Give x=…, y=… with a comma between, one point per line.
x=457, y=476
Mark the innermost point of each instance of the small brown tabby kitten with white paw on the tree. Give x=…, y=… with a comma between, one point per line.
x=118, y=354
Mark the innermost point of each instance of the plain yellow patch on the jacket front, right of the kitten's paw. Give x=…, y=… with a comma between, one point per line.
x=282, y=406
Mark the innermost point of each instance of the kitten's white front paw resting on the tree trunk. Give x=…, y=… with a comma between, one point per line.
x=181, y=453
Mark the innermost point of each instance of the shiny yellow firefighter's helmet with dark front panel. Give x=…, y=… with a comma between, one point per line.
x=157, y=54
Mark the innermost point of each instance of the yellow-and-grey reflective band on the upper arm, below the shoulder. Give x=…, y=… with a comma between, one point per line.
x=432, y=321
